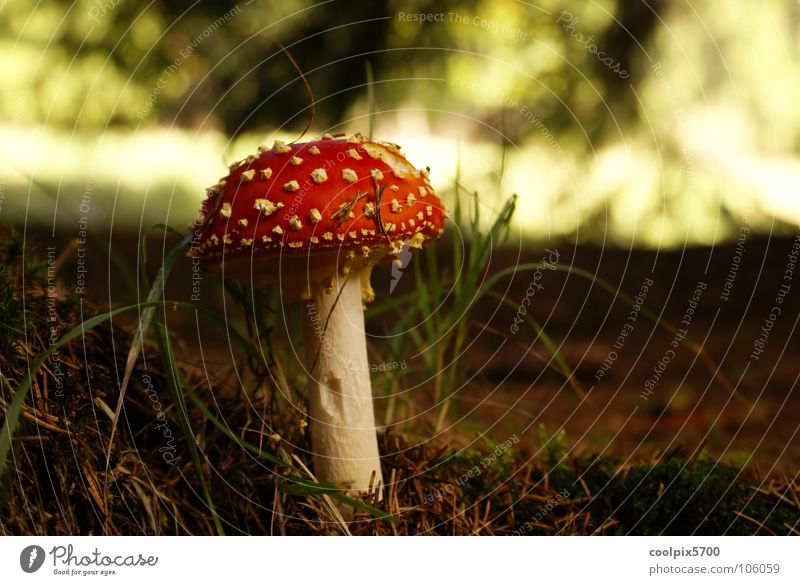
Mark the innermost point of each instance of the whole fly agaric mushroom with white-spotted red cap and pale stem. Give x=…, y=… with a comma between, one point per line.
x=314, y=218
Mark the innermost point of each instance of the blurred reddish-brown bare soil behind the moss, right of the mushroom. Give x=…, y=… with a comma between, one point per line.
x=744, y=409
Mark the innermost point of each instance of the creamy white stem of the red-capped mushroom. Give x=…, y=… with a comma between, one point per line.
x=343, y=435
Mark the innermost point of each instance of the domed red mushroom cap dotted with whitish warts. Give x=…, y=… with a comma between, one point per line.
x=318, y=196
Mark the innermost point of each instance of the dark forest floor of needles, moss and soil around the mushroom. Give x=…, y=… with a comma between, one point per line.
x=711, y=449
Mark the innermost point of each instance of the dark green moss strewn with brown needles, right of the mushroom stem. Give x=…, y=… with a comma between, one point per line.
x=608, y=496
